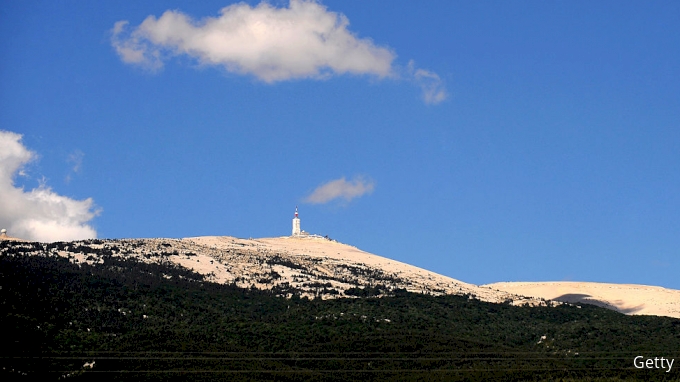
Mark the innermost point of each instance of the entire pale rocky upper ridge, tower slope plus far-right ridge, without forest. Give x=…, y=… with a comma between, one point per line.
x=317, y=267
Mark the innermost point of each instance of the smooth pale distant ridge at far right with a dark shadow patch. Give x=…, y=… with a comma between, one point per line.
x=624, y=298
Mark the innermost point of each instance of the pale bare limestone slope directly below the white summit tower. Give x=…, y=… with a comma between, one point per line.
x=320, y=260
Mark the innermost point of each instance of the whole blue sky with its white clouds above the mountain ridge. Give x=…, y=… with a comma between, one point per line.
x=487, y=141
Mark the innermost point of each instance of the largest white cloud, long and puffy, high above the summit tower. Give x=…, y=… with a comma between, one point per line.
x=304, y=40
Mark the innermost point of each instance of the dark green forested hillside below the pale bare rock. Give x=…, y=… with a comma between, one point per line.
x=146, y=321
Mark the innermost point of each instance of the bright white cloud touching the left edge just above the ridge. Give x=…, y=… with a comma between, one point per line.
x=39, y=214
